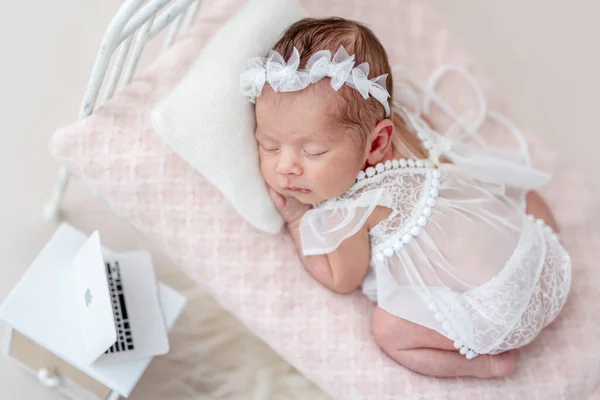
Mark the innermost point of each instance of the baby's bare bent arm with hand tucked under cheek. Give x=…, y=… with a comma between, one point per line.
x=342, y=270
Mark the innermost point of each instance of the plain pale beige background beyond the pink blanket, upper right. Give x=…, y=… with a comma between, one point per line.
x=545, y=57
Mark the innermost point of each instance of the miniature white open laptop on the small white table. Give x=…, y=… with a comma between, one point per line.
x=118, y=304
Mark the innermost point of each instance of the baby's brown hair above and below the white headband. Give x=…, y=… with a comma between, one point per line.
x=310, y=35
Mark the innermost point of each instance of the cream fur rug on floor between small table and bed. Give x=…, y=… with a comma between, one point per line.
x=213, y=356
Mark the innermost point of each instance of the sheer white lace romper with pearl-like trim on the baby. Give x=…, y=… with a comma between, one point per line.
x=457, y=254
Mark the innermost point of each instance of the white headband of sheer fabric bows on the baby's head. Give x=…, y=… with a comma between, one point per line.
x=286, y=77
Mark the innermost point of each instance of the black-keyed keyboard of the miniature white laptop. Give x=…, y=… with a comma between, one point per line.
x=124, y=337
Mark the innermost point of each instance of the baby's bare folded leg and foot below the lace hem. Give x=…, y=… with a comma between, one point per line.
x=427, y=352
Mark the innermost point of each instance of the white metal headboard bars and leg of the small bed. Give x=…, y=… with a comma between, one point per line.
x=136, y=23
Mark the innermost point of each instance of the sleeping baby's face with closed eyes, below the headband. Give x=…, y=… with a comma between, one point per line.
x=303, y=152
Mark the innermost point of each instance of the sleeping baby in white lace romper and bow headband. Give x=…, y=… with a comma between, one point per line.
x=455, y=248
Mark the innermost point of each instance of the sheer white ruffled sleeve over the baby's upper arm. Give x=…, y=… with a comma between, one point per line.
x=324, y=228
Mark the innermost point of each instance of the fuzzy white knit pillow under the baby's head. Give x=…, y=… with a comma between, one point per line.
x=210, y=124
